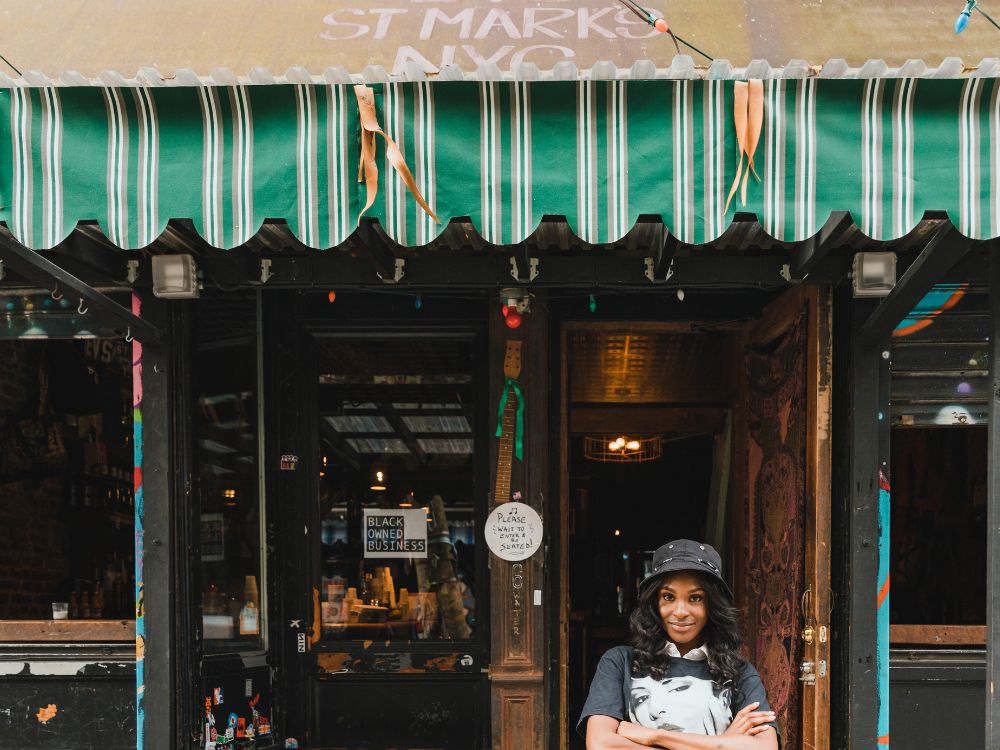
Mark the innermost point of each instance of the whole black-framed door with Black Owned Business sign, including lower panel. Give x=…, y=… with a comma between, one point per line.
x=399, y=577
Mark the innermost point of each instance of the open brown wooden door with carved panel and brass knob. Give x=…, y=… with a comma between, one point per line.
x=782, y=468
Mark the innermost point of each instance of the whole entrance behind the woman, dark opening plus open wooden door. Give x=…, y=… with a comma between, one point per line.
x=740, y=414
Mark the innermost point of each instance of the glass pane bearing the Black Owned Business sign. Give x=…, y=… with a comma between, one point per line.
x=397, y=503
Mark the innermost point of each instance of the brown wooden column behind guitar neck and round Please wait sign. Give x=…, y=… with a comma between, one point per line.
x=519, y=697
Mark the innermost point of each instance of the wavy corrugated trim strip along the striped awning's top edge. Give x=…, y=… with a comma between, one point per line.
x=682, y=67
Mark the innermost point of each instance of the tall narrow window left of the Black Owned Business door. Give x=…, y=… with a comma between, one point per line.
x=226, y=416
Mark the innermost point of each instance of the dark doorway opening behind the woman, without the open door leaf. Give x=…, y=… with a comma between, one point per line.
x=648, y=414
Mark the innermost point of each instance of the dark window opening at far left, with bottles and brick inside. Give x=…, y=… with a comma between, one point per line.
x=66, y=501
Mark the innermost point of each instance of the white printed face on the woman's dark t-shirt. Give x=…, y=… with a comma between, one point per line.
x=680, y=704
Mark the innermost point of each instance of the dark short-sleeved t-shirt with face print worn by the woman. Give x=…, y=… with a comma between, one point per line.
x=686, y=700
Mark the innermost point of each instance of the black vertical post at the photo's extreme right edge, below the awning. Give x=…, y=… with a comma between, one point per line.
x=993, y=511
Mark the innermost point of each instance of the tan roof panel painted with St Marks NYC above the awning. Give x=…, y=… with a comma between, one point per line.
x=432, y=33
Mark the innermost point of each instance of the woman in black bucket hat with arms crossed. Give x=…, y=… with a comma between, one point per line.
x=680, y=683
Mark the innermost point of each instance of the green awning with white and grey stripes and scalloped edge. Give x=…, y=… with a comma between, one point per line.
x=503, y=153
